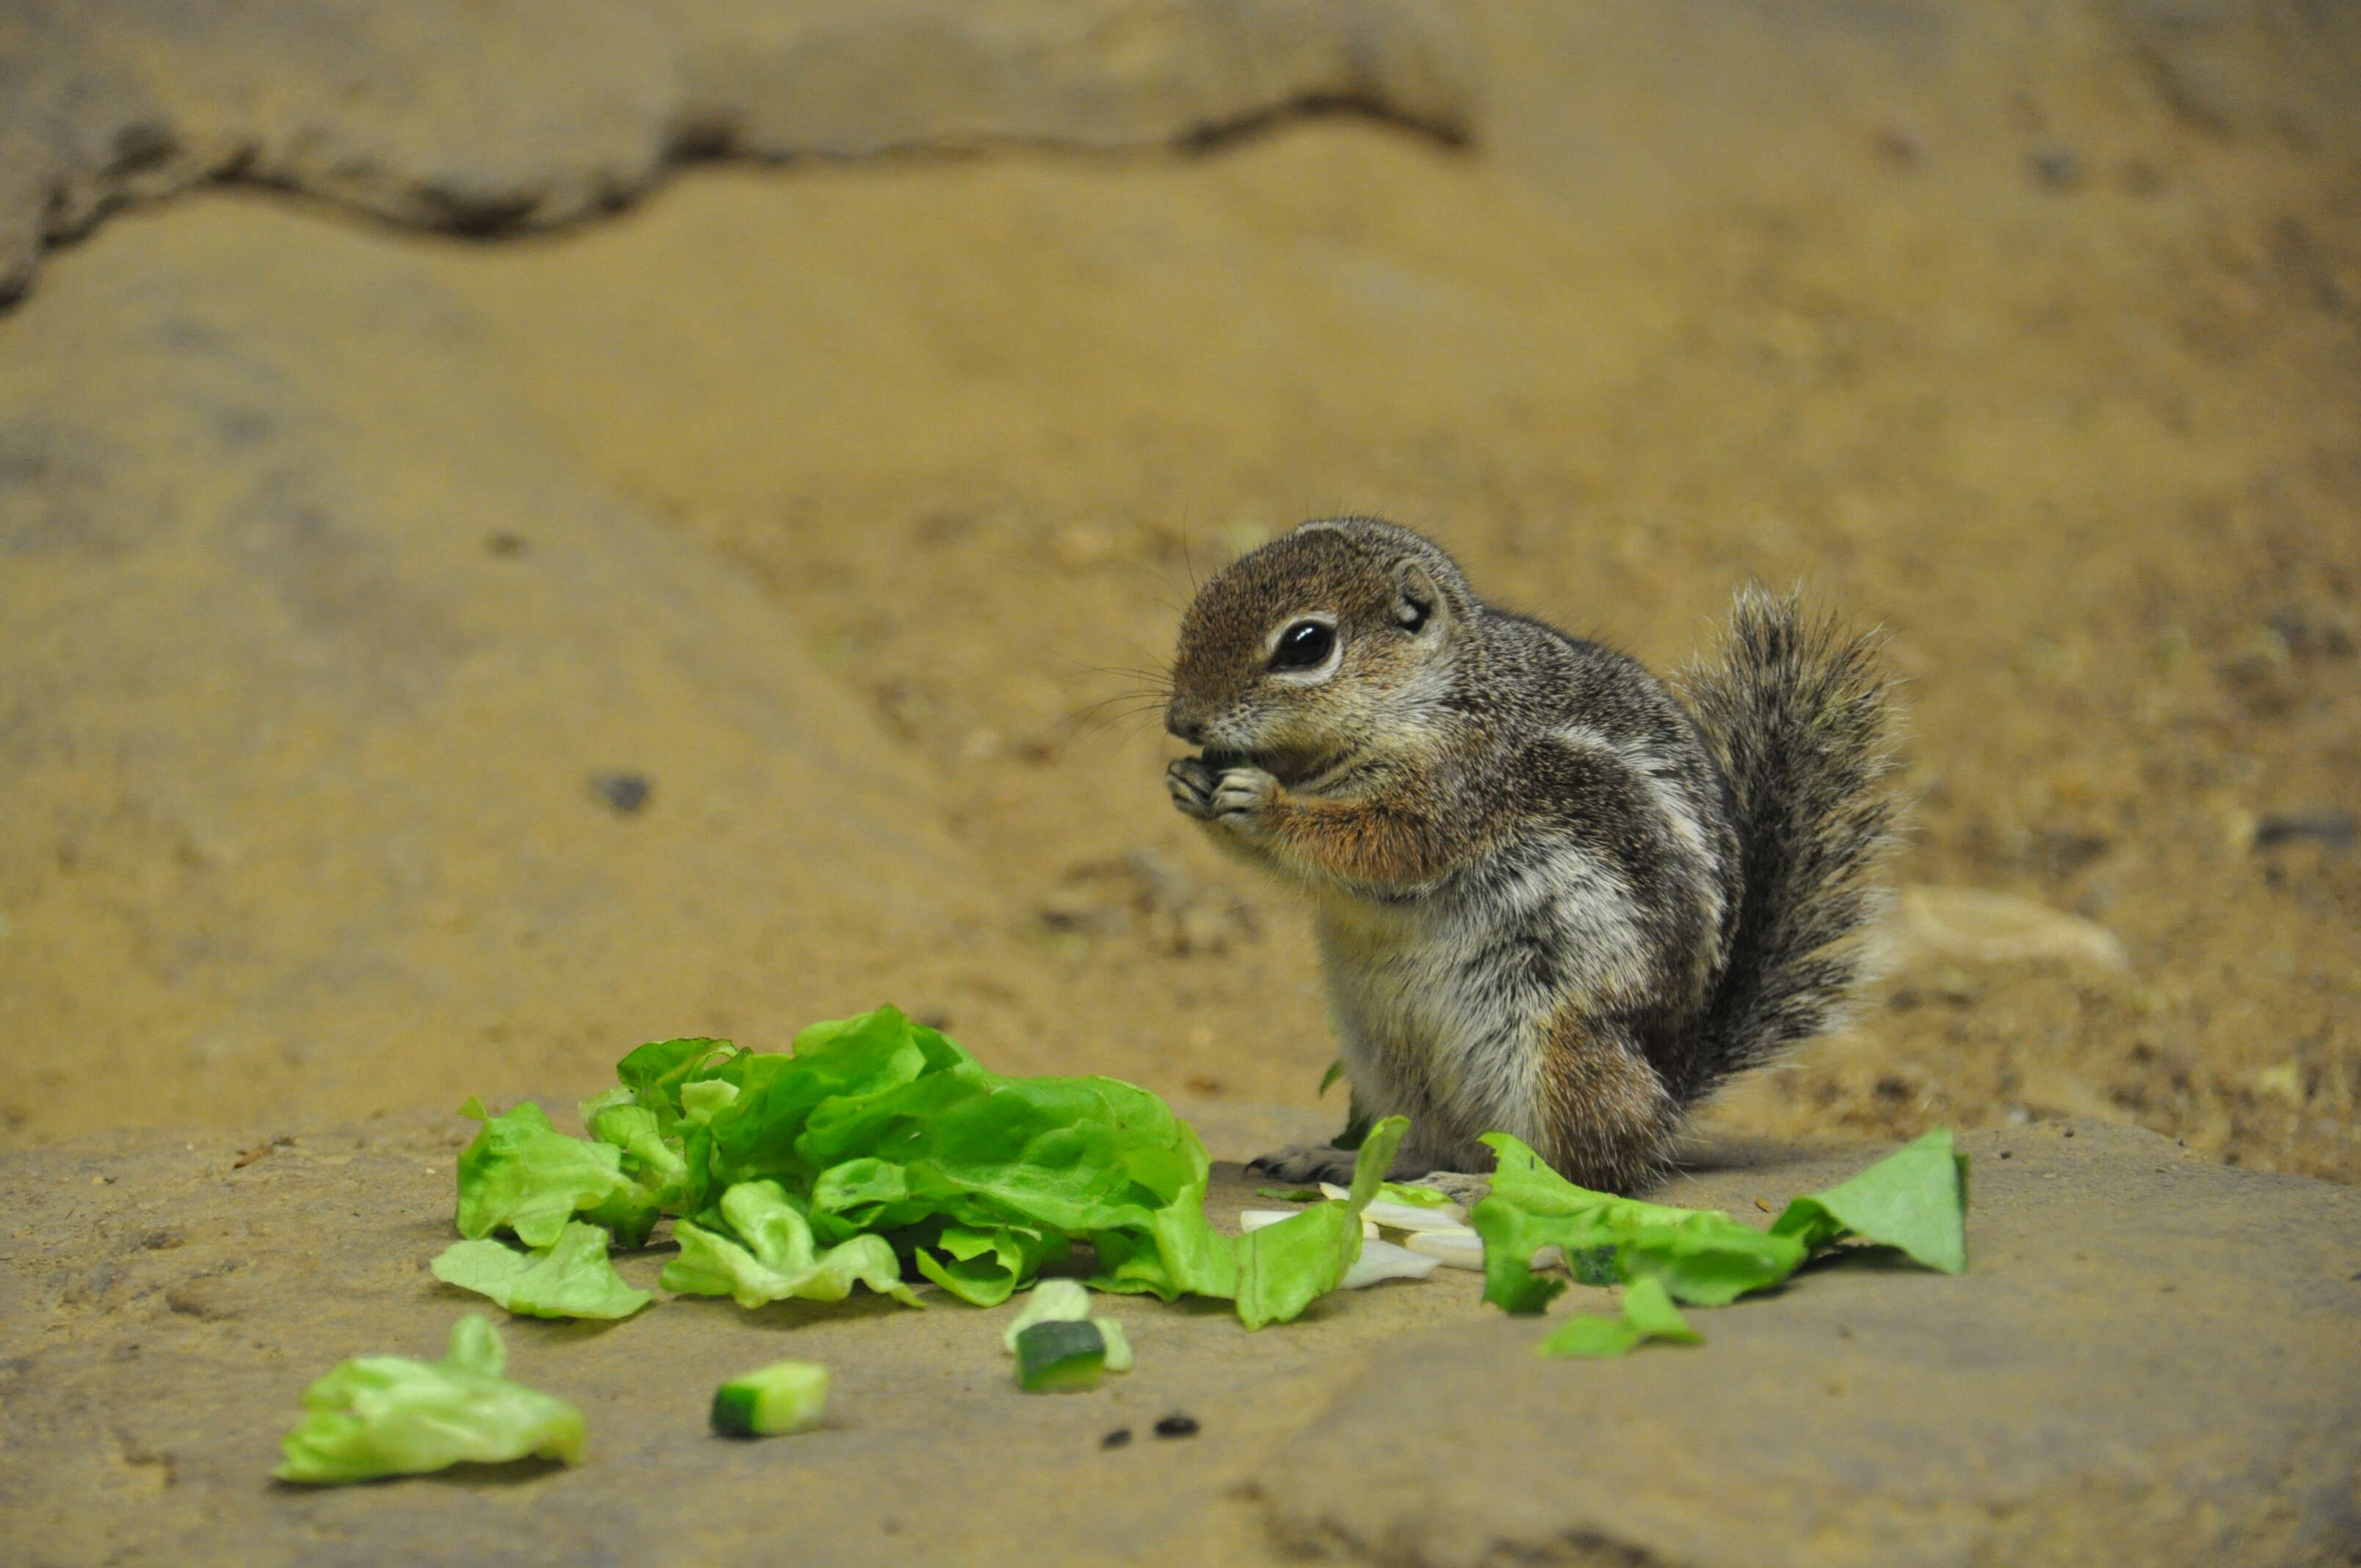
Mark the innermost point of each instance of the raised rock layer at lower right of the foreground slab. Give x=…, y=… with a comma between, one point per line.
x=2152, y=1361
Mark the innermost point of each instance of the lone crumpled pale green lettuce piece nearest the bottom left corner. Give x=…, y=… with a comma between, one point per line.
x=391, y=1416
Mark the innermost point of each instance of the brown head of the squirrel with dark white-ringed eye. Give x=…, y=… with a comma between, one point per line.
x=1333, y=641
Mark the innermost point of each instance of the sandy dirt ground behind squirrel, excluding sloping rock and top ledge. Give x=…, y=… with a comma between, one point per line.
x=2027, y=360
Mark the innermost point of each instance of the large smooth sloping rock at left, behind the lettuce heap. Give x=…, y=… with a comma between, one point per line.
x=398, y=729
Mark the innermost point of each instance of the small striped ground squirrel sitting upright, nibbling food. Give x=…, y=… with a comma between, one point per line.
x=1552, y=899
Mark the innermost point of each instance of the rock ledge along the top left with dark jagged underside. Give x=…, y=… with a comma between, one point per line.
x=469, y=117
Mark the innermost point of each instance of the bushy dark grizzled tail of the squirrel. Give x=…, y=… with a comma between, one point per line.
x=1803, y=721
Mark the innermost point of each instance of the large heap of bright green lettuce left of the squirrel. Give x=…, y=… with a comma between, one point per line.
x=884, y=1132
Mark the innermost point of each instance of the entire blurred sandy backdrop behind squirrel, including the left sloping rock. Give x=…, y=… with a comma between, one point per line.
x=438, y=665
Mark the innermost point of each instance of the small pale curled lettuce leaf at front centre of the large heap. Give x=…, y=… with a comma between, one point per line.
x=764, y=1253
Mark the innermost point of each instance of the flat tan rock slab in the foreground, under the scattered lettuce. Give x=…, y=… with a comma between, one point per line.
x=2152, y=1359
